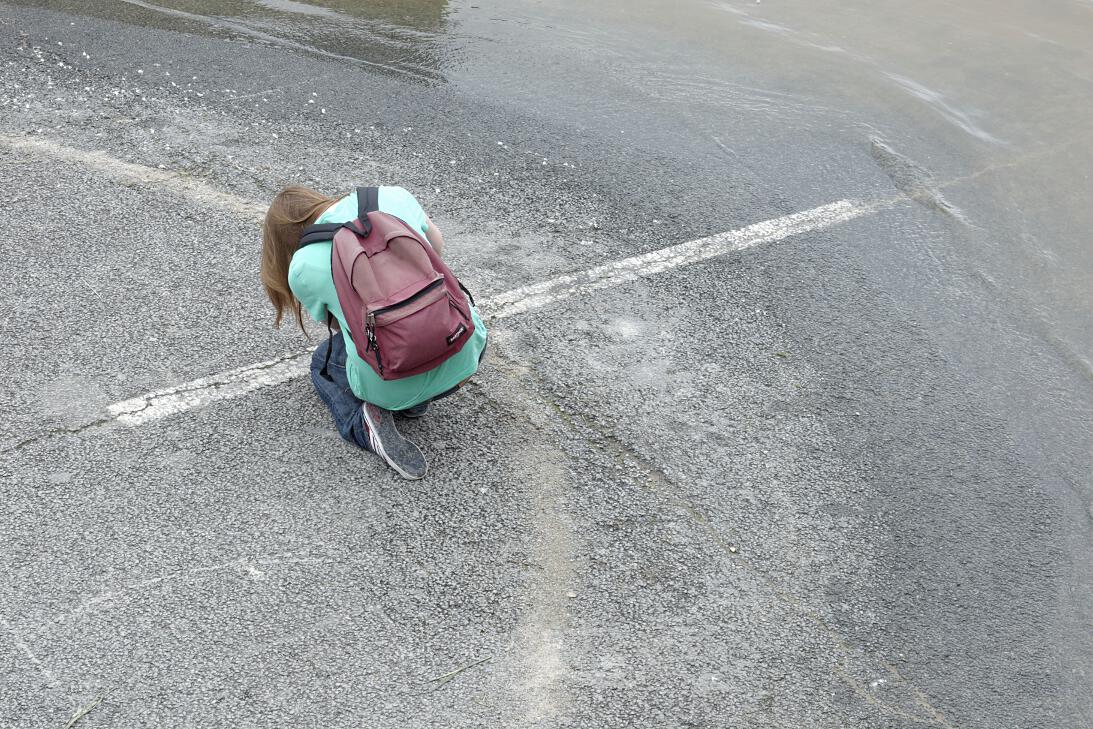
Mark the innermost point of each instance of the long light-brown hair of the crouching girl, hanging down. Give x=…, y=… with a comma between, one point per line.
x=293, y=209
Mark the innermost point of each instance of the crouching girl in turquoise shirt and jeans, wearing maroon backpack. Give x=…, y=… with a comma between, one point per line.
x=350, y=377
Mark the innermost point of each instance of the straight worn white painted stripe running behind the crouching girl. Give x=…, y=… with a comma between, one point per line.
x=236, y=383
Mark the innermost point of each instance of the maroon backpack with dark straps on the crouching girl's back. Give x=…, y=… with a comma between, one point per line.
x=405, y=310
